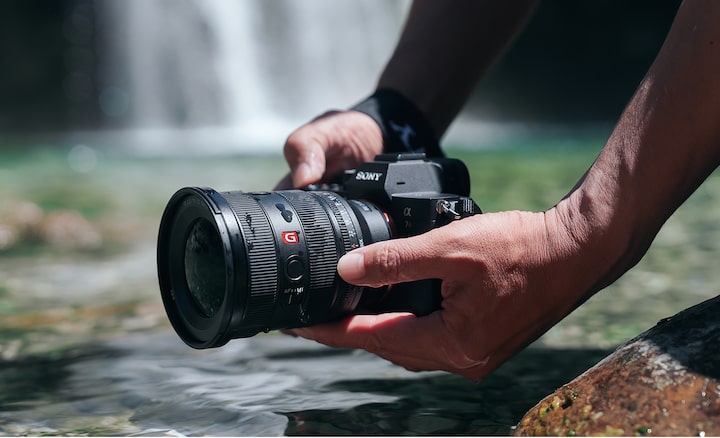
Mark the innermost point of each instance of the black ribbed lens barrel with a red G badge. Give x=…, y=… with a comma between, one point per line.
x=233, y=264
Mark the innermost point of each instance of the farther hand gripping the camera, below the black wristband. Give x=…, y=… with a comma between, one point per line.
x=322, y=149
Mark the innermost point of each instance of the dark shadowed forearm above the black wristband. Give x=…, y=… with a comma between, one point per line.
x=445, y=48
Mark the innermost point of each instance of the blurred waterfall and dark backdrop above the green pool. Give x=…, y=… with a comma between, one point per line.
x=248, y=72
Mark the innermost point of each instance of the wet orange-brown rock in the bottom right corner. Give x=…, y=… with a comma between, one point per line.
x=664, y=382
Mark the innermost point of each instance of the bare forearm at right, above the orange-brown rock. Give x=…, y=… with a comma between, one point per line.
x=664, y=146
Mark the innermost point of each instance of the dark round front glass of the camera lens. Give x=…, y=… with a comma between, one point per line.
x=205, y=267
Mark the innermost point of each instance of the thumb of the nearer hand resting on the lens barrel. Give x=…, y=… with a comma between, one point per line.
x=392, y=261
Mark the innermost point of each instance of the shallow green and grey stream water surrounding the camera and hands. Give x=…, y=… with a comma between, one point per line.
x=85, y=347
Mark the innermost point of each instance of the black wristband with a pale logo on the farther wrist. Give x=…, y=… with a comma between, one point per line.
x=405, y=128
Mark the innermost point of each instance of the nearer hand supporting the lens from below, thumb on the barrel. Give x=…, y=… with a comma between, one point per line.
x=507, y=278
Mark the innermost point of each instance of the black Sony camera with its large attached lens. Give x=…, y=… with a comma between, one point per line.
x=233, y=264
